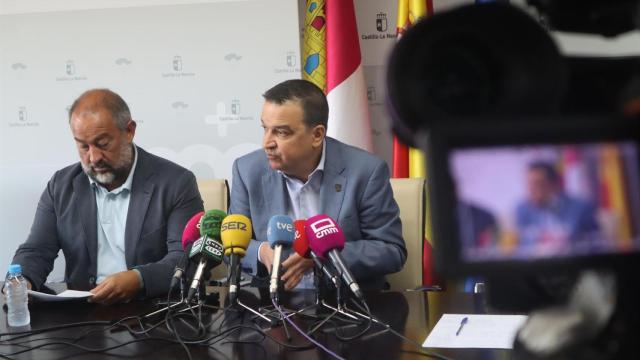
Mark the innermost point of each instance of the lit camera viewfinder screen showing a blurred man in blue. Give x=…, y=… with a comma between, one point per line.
x=546, y=201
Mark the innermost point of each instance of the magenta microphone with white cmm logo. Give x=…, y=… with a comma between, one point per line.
x=326, y=240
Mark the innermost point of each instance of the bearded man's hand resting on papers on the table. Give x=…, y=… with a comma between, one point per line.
x=117, y=287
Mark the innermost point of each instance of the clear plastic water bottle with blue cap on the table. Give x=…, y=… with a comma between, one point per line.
x=16, y=294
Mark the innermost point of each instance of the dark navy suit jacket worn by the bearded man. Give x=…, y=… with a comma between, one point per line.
x=163, y=198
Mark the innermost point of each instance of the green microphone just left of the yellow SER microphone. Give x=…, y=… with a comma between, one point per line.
x=207, y=250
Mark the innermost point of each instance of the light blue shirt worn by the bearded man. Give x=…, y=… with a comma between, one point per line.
x=113, y=207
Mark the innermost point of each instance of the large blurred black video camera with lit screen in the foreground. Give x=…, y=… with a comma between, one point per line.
x=533, y=156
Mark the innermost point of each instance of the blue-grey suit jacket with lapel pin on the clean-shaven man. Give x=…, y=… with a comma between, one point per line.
x=355, y=191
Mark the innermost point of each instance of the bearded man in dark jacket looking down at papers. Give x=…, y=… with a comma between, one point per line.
x=117, y=215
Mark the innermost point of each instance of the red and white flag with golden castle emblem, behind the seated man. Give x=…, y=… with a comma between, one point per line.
x=331, y=57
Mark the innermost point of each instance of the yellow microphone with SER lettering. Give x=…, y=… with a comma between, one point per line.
x=236, y=235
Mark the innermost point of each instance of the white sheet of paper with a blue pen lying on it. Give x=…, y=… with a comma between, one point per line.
x=477, y=331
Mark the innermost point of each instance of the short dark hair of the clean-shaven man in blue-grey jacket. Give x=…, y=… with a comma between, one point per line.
x=313, y=101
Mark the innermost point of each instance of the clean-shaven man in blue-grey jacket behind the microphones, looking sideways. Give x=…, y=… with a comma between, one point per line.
x=301, y=173
